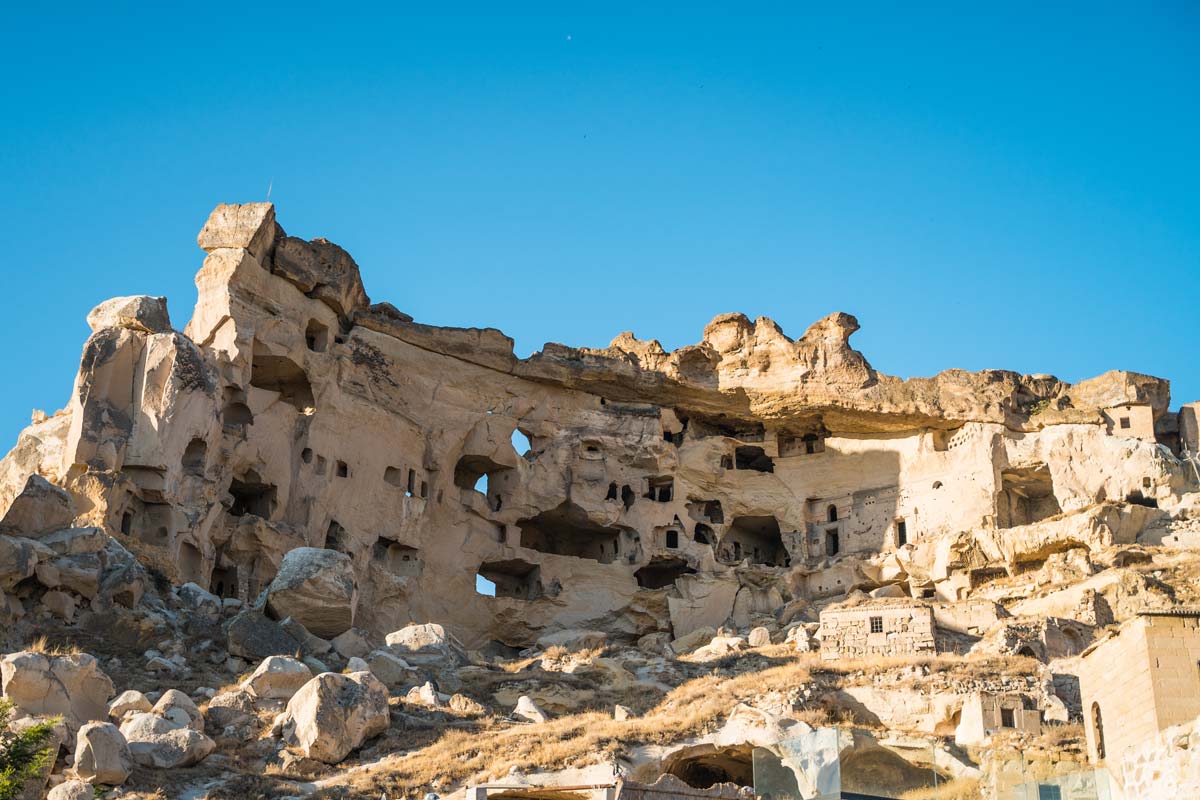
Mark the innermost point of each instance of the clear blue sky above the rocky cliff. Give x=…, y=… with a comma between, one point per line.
x=1013, y=189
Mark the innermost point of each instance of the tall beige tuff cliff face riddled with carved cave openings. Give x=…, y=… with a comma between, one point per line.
x=295, y=414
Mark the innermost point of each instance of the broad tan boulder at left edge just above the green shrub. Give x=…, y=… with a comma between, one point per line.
x=71, y=687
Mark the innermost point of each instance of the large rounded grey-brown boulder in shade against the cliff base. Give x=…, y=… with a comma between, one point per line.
x=317, y=588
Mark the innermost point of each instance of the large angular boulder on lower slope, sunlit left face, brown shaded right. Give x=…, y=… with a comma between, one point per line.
x=334, y=714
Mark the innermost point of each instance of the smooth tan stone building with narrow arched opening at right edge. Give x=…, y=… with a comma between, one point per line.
x=1141, y=682
